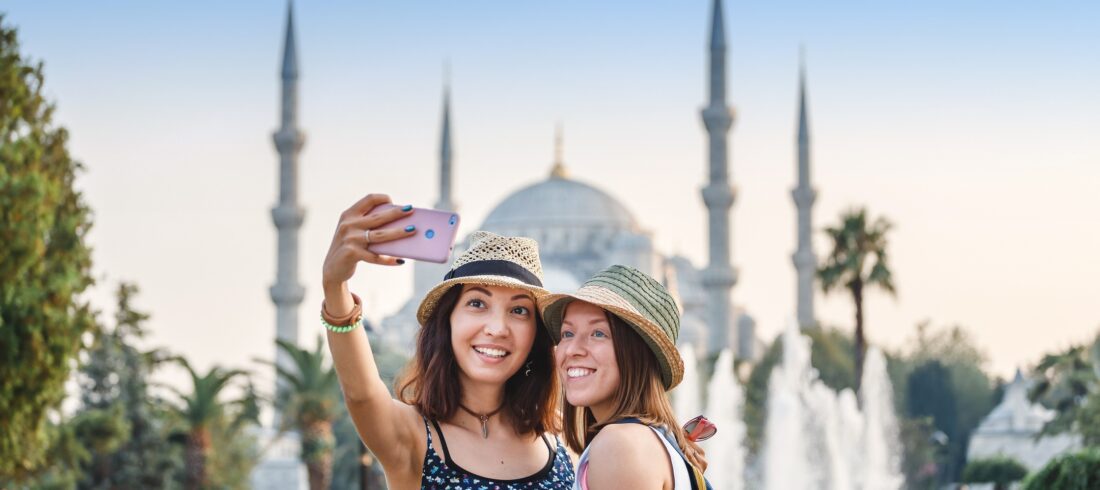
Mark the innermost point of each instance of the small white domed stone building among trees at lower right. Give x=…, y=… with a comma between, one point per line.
x=1011, y=428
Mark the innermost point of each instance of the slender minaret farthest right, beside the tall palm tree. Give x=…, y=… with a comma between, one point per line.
x=806, y=263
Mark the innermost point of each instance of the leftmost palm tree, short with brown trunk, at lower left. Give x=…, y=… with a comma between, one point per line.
x=201, y=411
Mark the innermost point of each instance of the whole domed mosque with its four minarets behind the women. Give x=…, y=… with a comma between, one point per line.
x=580, y=227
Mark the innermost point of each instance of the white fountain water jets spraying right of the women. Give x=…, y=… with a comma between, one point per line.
x=815, y=438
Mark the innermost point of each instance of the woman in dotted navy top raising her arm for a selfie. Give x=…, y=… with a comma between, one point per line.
x=479, y=398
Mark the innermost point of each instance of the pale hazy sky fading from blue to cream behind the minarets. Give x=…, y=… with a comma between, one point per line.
x=975, y=127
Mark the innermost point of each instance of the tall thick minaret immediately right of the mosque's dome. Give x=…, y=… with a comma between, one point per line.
x=720, y=276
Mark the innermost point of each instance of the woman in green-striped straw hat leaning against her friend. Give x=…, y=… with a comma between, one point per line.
x=618, y=357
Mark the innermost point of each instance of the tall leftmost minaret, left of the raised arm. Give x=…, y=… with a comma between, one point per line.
x=288, y=214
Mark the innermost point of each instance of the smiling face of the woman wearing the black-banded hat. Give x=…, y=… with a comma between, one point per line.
x=492, y=333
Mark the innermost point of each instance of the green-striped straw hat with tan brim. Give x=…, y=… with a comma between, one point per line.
x=640, y=301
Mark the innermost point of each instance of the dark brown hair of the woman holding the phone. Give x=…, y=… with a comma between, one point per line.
x=431, y=380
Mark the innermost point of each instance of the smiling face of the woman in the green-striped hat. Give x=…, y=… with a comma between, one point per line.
x=586, y=358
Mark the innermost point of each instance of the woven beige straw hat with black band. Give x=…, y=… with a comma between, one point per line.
x=492, y=260
